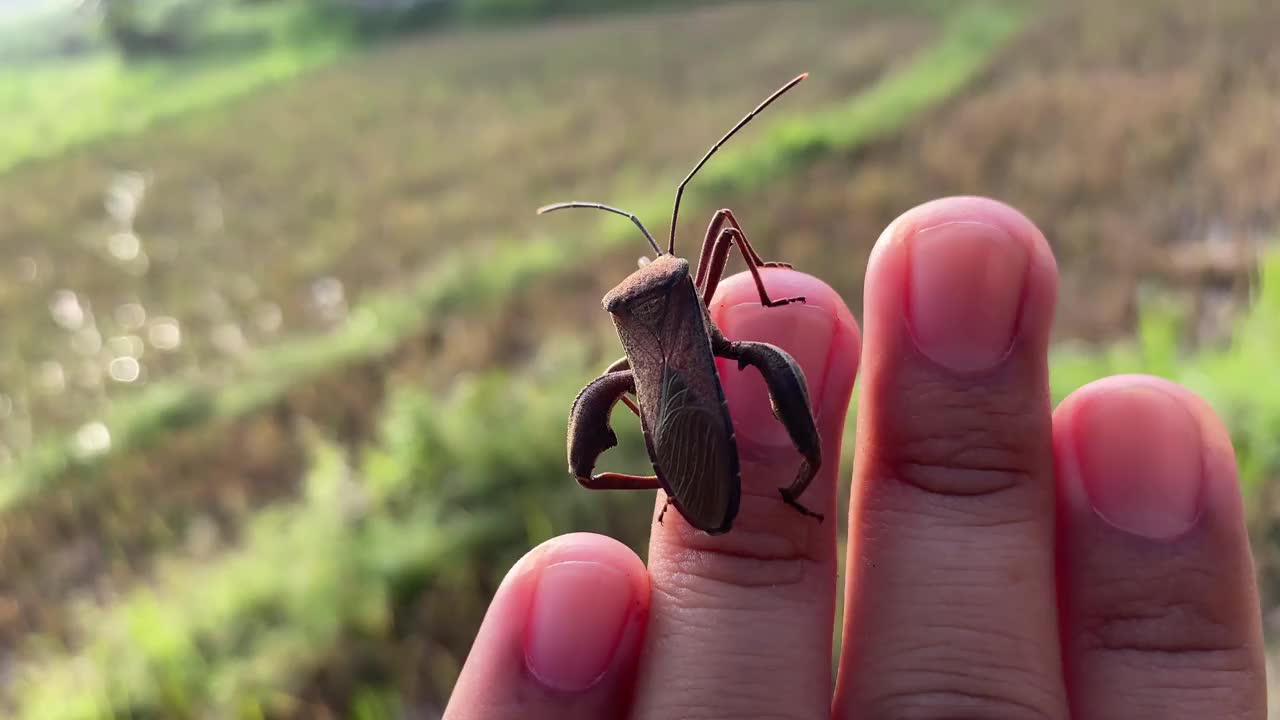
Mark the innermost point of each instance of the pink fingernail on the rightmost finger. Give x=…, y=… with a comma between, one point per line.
x=1140, y=461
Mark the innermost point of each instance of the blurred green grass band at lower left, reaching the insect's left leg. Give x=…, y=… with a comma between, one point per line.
x=429, y=509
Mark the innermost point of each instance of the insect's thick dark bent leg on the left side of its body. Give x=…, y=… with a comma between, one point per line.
x=591, y=435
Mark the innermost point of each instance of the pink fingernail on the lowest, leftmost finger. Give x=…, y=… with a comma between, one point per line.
x=575, y=627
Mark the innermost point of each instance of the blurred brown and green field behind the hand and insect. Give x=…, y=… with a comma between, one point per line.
x=255, y=352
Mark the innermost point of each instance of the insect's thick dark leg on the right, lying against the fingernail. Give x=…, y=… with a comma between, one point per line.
x=789, y=397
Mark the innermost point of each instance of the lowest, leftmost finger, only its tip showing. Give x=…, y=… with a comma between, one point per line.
x=561, y=639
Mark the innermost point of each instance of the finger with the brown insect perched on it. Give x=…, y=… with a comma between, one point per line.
x=742, y=623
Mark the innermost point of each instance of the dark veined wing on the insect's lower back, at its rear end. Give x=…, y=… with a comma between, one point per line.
x=696, y=455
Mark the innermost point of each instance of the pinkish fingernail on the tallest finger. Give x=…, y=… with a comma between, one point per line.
x=966, y=294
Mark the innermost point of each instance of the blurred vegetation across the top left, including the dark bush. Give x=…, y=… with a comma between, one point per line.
x=162, y=60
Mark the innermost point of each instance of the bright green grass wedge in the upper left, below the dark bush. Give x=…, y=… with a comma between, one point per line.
x=60, y=104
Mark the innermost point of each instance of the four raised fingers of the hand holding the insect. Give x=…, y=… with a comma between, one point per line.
x=1007, y=559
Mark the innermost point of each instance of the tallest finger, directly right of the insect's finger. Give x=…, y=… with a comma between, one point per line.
x=952, y=591
